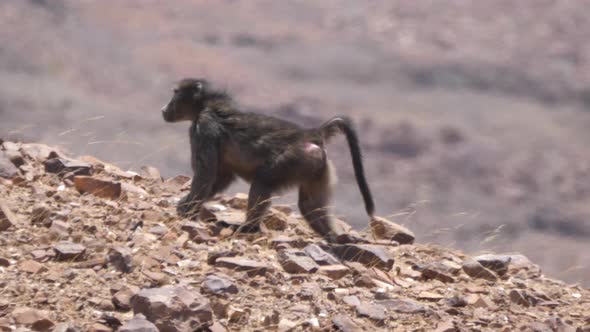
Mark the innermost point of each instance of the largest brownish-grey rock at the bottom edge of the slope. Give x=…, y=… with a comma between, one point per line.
x=173, y=308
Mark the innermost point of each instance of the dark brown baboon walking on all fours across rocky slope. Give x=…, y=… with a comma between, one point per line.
x=269, y=153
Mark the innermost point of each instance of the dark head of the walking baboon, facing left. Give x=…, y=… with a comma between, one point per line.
x=187, y=101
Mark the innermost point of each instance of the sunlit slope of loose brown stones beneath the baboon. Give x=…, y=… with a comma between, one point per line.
x=86, y=246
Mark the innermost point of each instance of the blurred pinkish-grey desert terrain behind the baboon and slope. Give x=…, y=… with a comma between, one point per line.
x=473, y=114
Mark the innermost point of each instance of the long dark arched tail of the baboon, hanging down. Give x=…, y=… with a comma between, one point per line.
x=344, y=125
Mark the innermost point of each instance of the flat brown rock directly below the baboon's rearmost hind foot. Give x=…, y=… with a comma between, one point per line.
x=368, y=255
